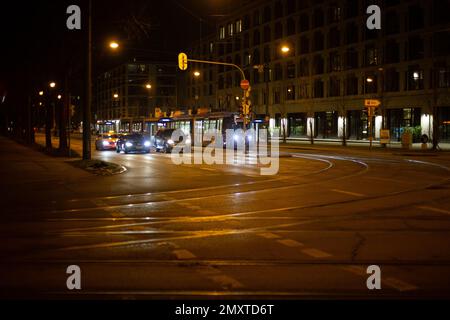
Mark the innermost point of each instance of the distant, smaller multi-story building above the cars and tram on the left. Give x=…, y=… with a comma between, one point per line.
x=133, y=91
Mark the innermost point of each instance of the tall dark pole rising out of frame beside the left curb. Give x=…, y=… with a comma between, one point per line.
x=88, y=100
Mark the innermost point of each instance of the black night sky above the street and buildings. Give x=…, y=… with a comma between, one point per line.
x=36, y=46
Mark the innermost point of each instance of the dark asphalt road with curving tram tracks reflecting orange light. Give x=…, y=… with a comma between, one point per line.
x=163, y=231
